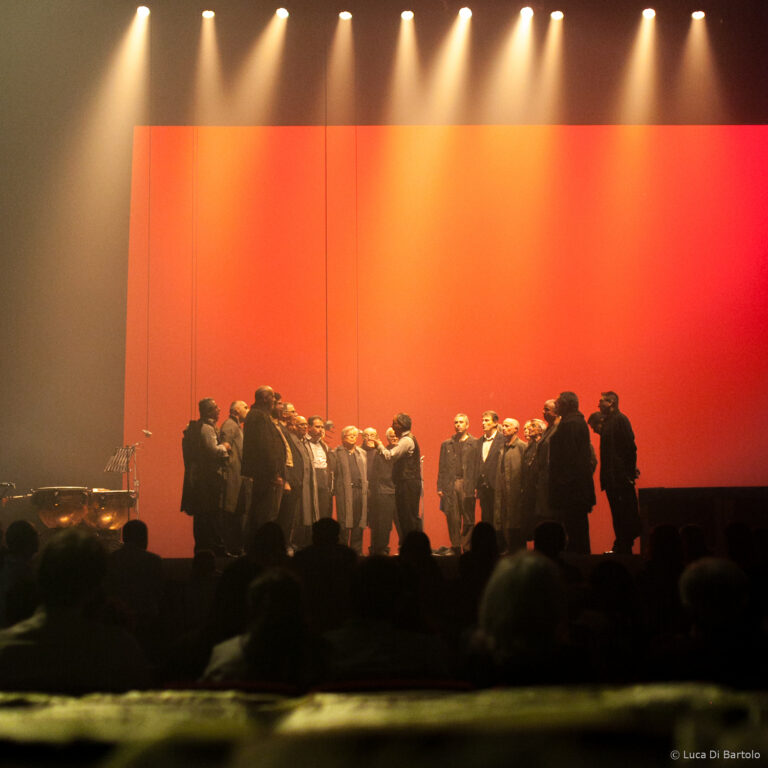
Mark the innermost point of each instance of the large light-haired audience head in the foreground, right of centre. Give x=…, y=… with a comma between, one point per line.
x=522, y=607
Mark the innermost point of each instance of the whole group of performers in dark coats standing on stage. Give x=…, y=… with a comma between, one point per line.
x=267, y=463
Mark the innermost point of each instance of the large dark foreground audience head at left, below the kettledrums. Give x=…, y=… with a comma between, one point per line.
x=72, y=567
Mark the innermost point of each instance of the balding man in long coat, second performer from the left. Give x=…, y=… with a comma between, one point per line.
x=237, y=490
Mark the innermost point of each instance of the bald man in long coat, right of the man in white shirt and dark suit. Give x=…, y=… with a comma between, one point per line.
x=511, y=530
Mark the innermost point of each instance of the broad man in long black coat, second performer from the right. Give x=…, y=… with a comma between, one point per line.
x=571, y=488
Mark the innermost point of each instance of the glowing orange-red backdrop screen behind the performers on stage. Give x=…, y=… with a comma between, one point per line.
x=452, y=268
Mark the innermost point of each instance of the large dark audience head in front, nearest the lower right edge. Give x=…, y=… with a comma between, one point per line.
x=716, y=594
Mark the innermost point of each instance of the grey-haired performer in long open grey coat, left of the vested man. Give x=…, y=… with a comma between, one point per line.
x=351, y=490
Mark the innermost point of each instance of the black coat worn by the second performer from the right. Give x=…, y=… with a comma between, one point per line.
x=570, y=465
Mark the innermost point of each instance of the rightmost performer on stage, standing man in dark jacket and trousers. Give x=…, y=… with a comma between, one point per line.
x=618, y=471
